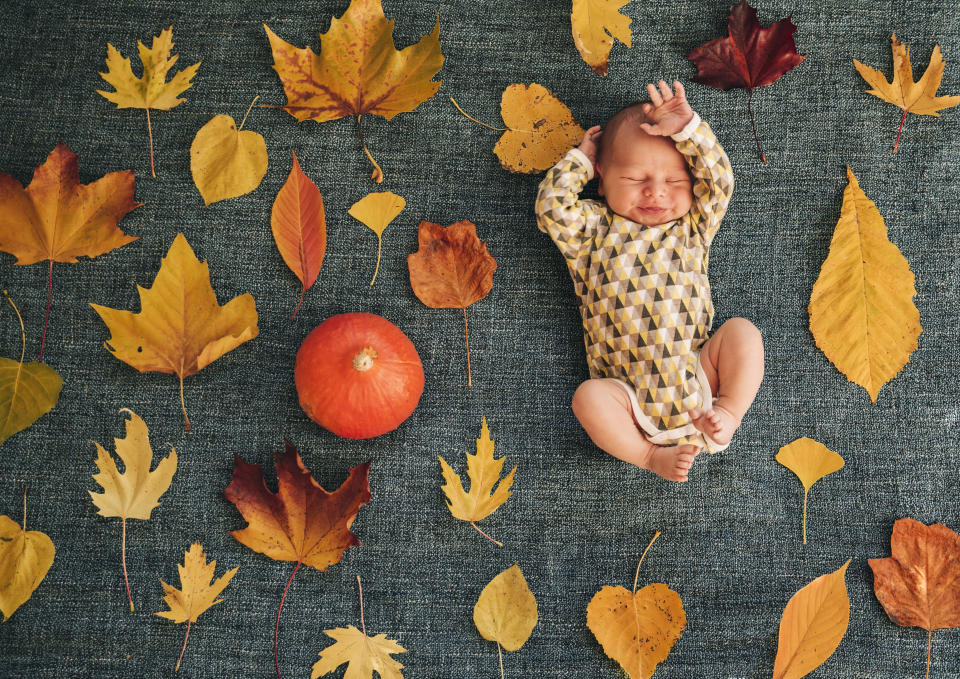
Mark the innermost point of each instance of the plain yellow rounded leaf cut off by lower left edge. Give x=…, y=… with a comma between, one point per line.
x=25, y=558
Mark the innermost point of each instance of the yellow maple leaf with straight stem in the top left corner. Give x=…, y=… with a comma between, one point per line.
x=151, y=90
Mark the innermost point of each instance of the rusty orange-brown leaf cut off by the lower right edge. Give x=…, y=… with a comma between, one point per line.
x=918, y=585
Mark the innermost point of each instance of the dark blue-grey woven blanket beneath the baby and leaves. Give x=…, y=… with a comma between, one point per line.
x=578, y=519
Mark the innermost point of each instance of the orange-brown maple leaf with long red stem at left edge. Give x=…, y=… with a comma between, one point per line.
x=57, y=218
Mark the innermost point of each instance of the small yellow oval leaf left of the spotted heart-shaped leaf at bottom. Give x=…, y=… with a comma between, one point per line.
x=506, y=611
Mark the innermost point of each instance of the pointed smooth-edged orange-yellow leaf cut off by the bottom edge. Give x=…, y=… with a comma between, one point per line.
x=812, y=626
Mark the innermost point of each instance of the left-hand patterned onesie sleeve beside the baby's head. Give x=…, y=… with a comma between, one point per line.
x=568, y=220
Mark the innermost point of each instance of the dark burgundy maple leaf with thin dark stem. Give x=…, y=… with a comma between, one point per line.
x=750, y=57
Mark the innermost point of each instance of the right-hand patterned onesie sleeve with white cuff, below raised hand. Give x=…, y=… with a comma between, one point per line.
x=712, y=176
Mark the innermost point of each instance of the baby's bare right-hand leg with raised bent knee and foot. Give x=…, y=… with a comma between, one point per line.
x=733, y=362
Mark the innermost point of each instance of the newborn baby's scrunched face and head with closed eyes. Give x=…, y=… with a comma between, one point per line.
x=645, y=179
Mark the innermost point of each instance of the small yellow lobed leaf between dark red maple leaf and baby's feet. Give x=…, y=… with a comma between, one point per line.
x=484, y=472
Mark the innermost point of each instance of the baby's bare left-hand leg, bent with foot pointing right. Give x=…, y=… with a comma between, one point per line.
x=604, y=410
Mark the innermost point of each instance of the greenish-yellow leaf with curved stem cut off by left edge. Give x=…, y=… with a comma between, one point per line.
x=27, y=390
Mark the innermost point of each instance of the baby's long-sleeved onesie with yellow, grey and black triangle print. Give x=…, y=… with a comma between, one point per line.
x=644, y=292
